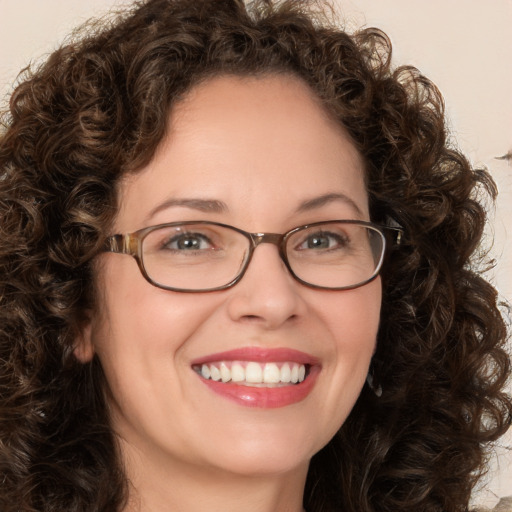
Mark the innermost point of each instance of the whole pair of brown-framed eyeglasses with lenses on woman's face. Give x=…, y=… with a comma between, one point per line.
x=202, y=256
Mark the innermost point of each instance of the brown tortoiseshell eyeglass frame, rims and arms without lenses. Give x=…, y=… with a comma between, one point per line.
x=132, y=243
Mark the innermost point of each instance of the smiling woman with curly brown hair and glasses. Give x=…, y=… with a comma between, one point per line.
x=300, y=326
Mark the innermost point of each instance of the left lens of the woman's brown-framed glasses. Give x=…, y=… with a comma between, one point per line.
x=194, y=256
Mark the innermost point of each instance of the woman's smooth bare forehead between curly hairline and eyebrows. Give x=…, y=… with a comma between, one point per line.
x=252, y=143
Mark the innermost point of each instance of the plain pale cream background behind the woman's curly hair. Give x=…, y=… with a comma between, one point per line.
x=464, y=46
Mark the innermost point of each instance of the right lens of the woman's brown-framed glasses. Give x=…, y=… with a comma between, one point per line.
x=335, y=254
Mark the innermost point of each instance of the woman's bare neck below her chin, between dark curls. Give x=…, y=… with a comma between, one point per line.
x=182, y=487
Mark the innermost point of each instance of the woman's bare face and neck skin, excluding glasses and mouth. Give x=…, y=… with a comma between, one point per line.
x=262, y=146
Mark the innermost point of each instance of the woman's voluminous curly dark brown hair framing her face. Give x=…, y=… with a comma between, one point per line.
x=97, y=109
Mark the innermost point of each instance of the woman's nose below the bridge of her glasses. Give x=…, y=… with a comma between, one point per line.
x=267, y=294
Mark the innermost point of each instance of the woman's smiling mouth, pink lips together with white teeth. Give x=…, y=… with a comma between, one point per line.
x=256, y=377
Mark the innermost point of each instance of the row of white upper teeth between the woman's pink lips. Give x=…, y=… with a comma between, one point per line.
x=254, y=373
